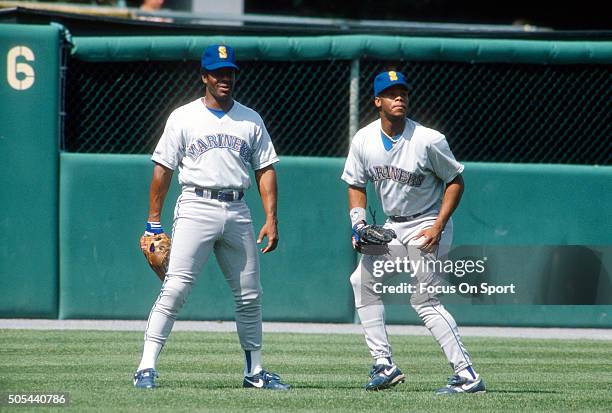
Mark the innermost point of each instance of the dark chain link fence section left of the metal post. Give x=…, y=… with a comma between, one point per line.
x=122, y=107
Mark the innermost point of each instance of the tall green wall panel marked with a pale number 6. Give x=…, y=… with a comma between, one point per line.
x=29, y=133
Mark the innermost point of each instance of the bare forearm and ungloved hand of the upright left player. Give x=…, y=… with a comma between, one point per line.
x=266, y=183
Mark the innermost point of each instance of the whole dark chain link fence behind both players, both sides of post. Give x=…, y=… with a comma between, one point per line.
x=490, y=112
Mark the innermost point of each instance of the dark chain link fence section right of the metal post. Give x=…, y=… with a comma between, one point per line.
x=508, y=112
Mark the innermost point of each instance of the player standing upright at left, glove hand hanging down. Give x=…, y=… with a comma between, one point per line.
x=213, y=141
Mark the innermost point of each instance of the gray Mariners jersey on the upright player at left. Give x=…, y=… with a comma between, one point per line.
x=193, y=135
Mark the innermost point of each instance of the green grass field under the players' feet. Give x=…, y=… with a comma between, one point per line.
x=202, y=372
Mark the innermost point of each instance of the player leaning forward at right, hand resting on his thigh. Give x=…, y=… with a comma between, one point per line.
x=419, y=184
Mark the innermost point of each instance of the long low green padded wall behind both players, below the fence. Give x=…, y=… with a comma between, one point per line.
x=103, y=205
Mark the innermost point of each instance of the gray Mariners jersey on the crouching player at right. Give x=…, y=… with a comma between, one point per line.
x=409, y=175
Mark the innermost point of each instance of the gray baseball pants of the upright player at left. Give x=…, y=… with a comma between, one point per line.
x=202, y=226
